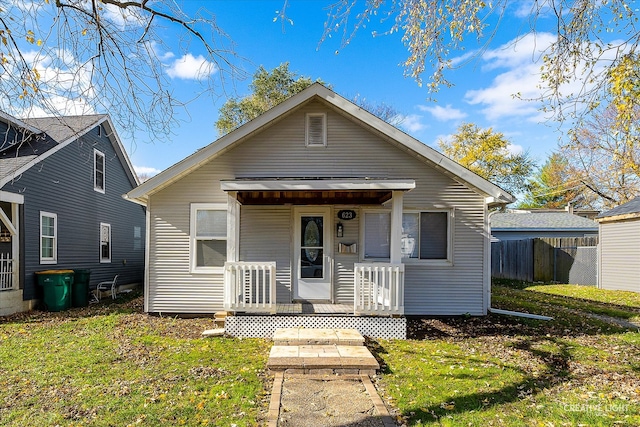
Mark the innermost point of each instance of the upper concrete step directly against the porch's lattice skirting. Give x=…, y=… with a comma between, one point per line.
x=321, y=336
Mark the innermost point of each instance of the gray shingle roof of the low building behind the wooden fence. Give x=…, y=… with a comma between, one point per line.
x=540, y=221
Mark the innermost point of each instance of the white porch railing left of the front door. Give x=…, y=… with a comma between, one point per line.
x=250, y=286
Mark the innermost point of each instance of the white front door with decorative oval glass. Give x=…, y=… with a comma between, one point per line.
x=312, y=254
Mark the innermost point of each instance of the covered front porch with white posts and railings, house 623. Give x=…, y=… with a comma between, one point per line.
x=318, y=264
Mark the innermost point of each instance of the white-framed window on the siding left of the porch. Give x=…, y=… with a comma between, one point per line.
x=208, y=236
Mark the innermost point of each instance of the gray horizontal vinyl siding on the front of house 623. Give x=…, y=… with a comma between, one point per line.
x=280, y=151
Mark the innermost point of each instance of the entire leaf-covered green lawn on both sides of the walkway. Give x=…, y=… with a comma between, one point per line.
x=111, y=365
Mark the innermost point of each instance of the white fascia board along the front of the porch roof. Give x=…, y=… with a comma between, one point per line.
x=318, y=185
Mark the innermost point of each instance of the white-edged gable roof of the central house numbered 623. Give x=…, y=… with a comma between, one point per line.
x=494, y=194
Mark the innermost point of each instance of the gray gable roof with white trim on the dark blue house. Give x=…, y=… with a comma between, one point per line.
x=51, y=135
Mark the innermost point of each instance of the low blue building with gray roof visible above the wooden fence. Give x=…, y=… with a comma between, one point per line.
x=519, y=225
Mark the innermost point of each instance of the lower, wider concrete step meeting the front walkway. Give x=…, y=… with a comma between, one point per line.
x=322, y=359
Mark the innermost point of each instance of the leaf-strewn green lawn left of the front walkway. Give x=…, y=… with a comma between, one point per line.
x=121, y=369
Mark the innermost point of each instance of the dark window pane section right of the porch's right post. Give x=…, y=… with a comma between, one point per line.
x=426, y=235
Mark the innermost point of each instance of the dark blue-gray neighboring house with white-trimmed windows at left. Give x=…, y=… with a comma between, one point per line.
x=61, y=205
